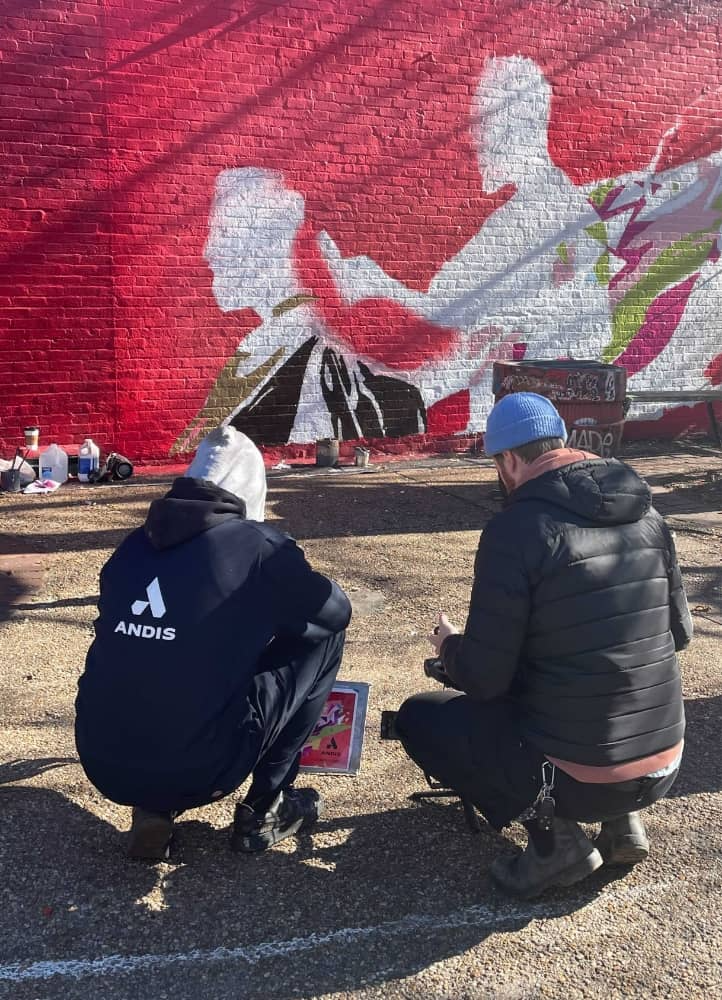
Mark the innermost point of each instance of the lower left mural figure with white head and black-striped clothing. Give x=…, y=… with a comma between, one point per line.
x=290, y=379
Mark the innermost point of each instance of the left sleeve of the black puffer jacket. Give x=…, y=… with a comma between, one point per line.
x=483, y=660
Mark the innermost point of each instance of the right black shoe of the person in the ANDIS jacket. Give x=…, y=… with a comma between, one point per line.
x=295, y=809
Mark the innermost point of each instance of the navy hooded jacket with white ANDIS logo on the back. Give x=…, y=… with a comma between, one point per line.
x=188, y=603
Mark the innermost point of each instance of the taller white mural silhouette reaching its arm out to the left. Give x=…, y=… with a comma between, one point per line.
x=503, y=286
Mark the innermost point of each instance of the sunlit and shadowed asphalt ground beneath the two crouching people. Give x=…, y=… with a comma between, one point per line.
x=386, y=897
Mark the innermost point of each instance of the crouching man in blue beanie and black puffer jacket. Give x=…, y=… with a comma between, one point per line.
x=571, y=704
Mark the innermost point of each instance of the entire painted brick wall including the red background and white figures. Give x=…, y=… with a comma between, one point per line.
x=315, y=218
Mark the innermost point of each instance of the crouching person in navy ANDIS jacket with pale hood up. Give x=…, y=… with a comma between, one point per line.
x=215, y=648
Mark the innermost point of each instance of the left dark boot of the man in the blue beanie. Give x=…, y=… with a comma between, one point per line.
x=529, y=874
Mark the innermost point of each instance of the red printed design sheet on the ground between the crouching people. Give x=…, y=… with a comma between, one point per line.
x=335, y=745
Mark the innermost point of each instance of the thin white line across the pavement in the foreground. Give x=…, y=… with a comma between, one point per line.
x=470, y=916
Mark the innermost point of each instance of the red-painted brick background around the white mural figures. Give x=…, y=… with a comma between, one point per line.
x=117, y=118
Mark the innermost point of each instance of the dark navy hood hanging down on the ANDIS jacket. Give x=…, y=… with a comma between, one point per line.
x=191, y=507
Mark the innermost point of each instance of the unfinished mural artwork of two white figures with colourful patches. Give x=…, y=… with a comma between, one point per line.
x=622, y=271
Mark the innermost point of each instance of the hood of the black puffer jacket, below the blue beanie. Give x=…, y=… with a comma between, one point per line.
x=603, y=491
